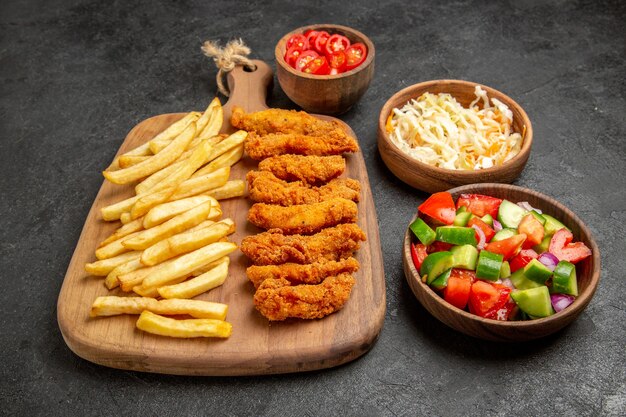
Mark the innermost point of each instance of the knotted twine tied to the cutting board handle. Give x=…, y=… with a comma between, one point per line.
x=227, y=58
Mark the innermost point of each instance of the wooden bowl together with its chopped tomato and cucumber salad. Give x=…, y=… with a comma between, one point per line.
x=500, y=262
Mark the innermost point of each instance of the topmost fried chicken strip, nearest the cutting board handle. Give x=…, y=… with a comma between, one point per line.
x=284, y=121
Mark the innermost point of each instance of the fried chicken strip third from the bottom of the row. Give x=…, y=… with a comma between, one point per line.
x=273, y=247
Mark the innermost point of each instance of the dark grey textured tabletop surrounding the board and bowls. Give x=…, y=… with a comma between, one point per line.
x=76, y=76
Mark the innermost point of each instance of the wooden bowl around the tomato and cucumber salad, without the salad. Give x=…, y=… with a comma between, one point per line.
x=588, y=273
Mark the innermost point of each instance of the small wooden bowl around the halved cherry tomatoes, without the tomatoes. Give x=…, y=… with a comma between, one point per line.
x=326, y=94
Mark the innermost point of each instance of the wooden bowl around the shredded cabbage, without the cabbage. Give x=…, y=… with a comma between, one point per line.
x=432, y=179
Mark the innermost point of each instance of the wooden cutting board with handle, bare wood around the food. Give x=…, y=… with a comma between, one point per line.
x=256, y=345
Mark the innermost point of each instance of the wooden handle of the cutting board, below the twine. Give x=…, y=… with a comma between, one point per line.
x=248, y=89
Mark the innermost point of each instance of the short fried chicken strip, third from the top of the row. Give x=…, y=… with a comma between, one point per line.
x=310, y=169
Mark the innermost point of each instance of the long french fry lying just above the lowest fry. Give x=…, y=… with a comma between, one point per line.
x=113, y=306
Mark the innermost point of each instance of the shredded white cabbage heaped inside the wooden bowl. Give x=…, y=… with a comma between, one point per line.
x=437, y=130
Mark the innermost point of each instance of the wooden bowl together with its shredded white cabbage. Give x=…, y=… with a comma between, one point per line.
x=444, y=133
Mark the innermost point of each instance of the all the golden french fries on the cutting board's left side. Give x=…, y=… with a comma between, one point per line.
x=173, y=243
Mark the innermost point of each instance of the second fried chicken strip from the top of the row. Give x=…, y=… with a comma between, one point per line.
x=261, y=147
